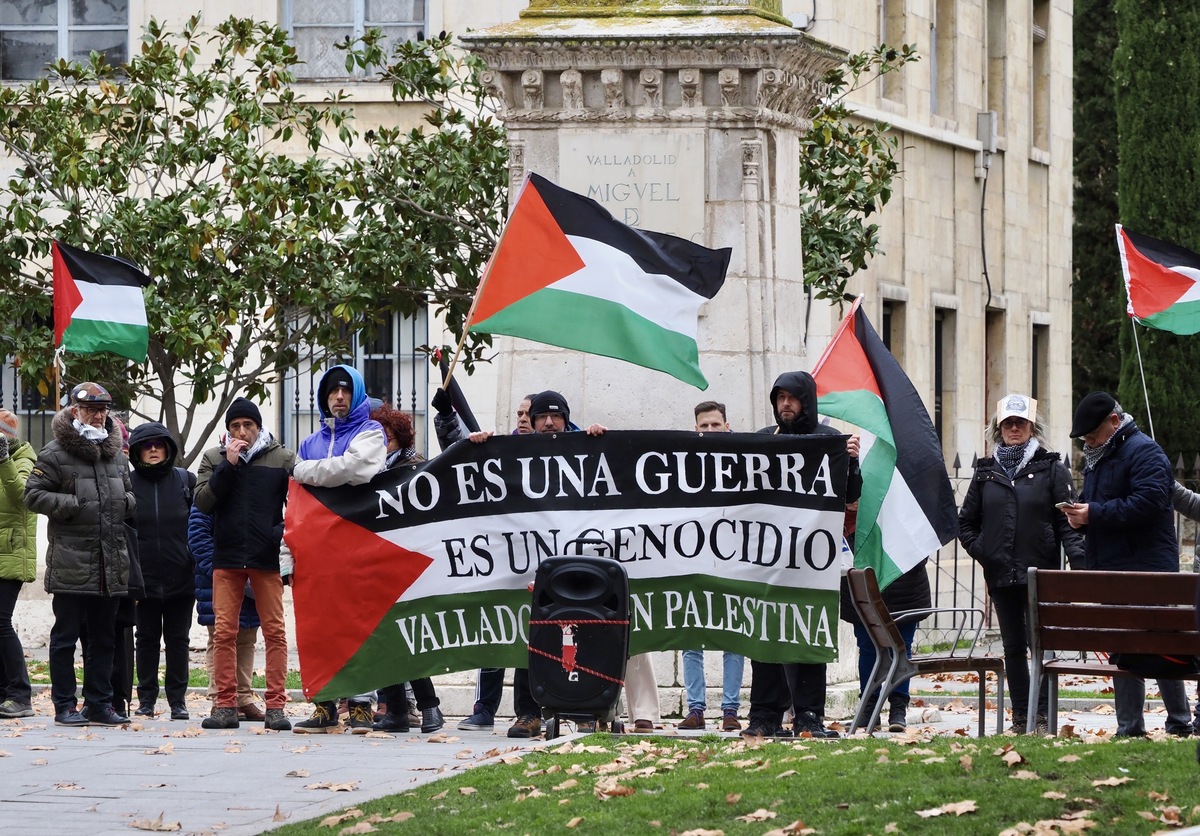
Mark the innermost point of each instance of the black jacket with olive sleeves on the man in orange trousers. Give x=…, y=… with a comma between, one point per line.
x=247, y=502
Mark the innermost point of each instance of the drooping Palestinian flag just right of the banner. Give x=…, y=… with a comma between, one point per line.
x=907, y=512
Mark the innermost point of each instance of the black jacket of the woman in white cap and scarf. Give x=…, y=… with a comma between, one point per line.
x=1010, y=525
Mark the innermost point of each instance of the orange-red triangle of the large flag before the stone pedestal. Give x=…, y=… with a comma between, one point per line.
x=532, y=254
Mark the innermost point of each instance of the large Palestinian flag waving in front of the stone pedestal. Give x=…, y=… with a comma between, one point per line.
x=566, y=273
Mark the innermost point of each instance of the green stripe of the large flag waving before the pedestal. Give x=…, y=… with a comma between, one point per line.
x=598, y=327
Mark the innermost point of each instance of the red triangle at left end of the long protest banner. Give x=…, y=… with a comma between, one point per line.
x=347, y=579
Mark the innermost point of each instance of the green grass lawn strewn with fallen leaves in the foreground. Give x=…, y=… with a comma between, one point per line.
x=711, y=785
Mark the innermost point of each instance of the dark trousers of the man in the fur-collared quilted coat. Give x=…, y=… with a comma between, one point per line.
x=73, y=616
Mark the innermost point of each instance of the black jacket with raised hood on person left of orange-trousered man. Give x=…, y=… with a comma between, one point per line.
x=164, y=495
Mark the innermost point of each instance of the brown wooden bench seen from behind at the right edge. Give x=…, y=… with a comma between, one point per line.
x=1106, y=614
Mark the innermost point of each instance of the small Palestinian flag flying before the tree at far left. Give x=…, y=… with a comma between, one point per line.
x=99, y=304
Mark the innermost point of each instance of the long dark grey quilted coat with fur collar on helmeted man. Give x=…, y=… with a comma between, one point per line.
x=85, y=491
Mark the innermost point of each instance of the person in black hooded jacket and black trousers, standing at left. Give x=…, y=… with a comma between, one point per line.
x=165, y=614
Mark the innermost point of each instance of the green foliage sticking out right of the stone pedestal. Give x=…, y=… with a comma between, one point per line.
x=847, y=171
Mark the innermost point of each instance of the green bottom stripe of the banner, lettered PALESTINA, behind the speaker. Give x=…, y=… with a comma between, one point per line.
x=472, y=630
